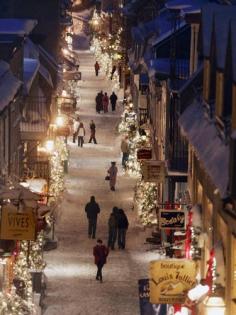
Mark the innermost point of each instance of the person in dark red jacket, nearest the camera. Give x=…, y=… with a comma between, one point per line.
x=100, y=253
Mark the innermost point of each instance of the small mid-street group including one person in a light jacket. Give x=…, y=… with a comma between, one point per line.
x=79, y=132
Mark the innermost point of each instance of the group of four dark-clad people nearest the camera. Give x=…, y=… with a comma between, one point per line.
x=117, y=227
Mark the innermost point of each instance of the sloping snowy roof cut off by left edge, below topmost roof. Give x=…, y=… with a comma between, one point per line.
x=9, y=85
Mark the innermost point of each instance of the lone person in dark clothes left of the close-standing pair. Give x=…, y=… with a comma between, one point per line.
x=92, y=209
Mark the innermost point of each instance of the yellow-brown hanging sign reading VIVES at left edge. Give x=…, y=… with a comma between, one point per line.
x=17, y=225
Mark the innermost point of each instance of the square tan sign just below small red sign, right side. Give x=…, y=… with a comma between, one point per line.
x=153, y=171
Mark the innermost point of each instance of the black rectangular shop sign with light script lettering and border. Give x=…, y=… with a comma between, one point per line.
x=172, y=219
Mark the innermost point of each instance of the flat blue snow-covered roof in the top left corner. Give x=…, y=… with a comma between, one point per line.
x=20, y=27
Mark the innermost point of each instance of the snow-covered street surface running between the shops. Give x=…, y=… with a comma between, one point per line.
x=71, y=285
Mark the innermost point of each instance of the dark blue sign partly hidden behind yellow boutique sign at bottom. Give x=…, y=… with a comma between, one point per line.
x=146, y=308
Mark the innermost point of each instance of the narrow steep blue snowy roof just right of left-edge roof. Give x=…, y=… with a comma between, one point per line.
x=31, y=67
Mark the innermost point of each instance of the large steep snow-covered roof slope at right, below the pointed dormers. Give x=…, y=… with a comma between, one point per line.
x=208, y=146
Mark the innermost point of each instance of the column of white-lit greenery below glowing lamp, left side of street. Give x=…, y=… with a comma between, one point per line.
x=59, y=155
